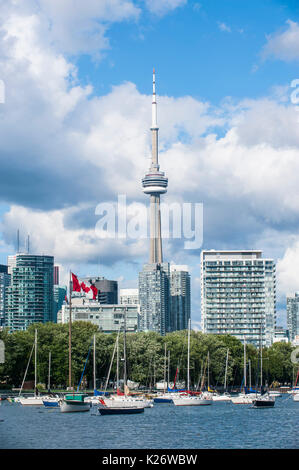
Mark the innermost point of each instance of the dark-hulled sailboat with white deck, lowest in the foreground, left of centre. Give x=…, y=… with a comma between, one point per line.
x=121, y=403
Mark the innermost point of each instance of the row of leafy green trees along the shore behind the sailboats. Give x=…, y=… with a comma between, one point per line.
x=145, y=357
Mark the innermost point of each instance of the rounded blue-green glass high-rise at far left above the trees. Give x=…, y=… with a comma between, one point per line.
x=30, y=294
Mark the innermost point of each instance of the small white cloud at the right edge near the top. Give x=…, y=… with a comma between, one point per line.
x=283, y=45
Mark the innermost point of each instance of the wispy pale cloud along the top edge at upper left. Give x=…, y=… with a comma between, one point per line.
x=73, y=26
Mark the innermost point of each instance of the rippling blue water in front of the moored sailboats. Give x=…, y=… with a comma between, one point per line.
x=165, y=426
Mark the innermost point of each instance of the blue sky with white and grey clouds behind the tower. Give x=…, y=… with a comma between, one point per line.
x=75, y=113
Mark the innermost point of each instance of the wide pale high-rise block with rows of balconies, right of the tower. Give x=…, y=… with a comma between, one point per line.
x=238, y=295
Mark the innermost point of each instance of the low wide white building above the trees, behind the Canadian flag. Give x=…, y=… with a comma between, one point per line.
x=108, y=318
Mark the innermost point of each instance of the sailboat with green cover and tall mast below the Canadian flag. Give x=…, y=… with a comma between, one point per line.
x=72, y=402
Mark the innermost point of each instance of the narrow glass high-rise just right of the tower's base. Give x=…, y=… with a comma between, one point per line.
x=180, y=296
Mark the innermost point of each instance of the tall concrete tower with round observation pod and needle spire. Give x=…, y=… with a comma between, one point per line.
x=155, y=183
